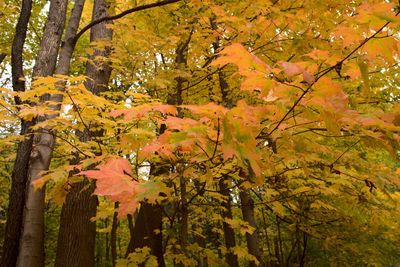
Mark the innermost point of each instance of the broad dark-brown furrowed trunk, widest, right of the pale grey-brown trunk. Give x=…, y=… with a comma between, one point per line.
x=76, y=239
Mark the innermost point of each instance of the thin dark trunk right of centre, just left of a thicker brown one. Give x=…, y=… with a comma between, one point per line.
x=228, y=231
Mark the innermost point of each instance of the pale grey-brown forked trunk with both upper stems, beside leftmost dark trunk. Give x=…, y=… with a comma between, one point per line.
x=32, y=250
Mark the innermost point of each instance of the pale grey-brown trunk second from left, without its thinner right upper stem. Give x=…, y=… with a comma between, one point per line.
x=31, y=250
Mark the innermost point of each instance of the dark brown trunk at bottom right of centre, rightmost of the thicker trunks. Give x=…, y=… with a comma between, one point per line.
x=248, y=216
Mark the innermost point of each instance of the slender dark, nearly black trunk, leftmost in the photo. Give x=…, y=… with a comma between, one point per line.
x=19, y=173
